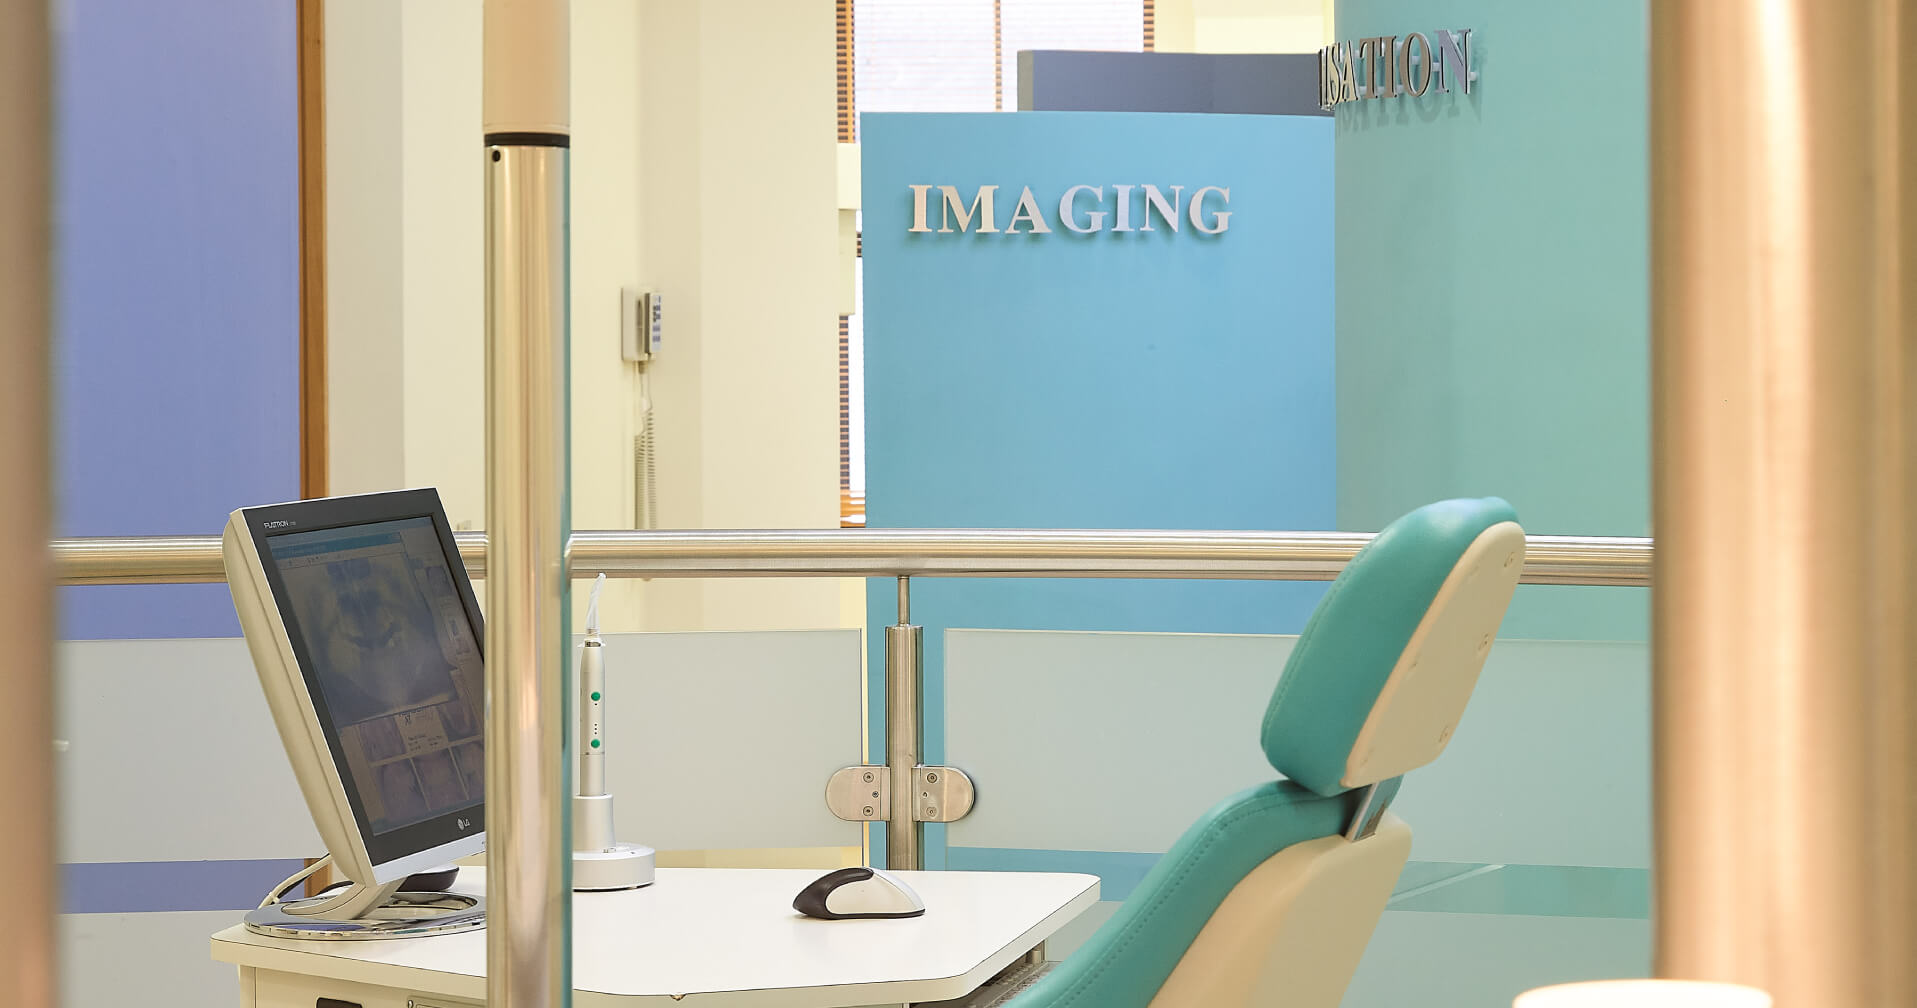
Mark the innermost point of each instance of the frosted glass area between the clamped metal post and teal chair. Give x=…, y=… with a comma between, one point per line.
x=1103, y=741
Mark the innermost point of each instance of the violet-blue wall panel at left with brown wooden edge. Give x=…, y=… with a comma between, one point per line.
x=177, y=304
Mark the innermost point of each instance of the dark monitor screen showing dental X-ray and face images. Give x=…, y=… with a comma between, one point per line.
x=381, y=624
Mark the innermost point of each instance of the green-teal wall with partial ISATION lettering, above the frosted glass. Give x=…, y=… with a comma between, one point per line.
x=1494, y=290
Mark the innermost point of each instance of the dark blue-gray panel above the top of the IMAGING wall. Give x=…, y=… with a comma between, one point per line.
x=1168, y=81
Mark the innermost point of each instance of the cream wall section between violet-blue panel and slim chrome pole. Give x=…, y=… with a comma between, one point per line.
x=404, y=241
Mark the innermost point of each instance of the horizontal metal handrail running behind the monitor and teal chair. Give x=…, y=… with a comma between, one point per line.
x=906, y=553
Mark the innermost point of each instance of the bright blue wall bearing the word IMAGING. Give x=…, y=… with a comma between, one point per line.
x=1115, y=380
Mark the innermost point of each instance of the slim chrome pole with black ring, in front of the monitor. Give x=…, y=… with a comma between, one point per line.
x=528, y=773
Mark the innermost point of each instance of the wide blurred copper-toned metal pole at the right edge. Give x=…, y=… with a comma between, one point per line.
x=1786, y=492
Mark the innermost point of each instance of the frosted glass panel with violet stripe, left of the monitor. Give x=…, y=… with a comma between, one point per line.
x=177, y=812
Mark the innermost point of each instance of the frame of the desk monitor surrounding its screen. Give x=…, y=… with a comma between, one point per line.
x=336, y=513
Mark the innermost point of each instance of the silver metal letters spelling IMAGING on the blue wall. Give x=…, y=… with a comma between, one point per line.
x=1080, y=210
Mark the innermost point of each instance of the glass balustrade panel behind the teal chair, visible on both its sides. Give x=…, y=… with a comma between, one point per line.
x=1531, y=835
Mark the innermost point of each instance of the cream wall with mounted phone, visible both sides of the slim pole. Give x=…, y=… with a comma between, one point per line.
x=703, y=168
